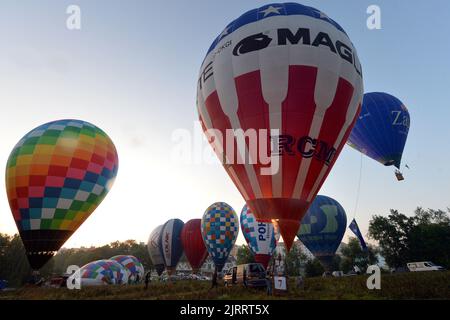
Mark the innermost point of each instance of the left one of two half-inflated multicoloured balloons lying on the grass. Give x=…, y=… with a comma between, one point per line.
x=102, y=272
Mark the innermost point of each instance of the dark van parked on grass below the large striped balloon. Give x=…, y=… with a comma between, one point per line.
x=250, y=275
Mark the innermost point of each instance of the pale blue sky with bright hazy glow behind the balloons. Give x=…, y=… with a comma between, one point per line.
x=132, y=70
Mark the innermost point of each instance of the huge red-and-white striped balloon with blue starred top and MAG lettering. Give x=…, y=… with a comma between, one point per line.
x=287, y=76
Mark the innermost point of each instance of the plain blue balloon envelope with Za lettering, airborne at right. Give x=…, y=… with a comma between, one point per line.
x=381, y=129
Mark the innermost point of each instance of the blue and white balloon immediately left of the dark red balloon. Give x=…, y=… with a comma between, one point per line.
x=171, y=247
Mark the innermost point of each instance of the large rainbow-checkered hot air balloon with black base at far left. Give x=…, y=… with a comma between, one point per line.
x=56, y=176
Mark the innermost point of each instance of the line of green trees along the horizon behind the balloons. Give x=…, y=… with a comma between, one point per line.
x=425, y=236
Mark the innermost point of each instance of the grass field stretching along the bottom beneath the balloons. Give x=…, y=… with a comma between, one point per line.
x=426, y=285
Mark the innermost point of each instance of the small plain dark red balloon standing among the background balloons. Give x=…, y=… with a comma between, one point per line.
x=193, y=245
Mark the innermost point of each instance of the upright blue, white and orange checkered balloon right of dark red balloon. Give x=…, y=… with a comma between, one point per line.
x=220, y=228
